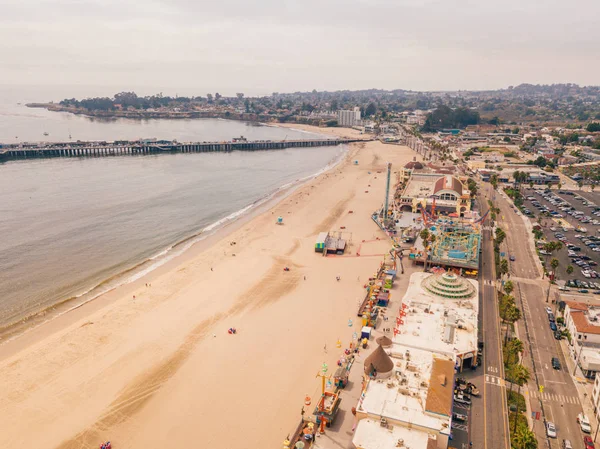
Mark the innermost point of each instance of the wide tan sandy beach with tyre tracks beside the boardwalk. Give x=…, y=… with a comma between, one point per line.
x=151, y=365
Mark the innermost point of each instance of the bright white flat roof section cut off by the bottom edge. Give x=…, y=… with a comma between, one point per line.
x=370, y=435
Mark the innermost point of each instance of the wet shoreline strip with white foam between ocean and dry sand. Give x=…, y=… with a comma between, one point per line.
x=22, y=325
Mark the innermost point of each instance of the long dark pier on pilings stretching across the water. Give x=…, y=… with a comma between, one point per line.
x=100, y=149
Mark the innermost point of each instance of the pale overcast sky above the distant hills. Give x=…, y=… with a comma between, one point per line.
x=262, y=46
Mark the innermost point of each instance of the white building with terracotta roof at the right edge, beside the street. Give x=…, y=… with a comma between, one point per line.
x=583, y=323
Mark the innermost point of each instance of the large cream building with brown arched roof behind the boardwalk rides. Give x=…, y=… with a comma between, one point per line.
x=448, y=192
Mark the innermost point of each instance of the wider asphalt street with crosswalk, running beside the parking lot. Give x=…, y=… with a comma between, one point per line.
x=559, y=402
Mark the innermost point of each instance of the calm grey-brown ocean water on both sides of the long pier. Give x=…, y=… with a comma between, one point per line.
x=74, y=227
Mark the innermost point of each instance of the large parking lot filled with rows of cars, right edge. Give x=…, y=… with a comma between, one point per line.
x=574, y=220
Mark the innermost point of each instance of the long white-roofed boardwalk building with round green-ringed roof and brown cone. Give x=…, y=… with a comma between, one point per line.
x=411, y=402
